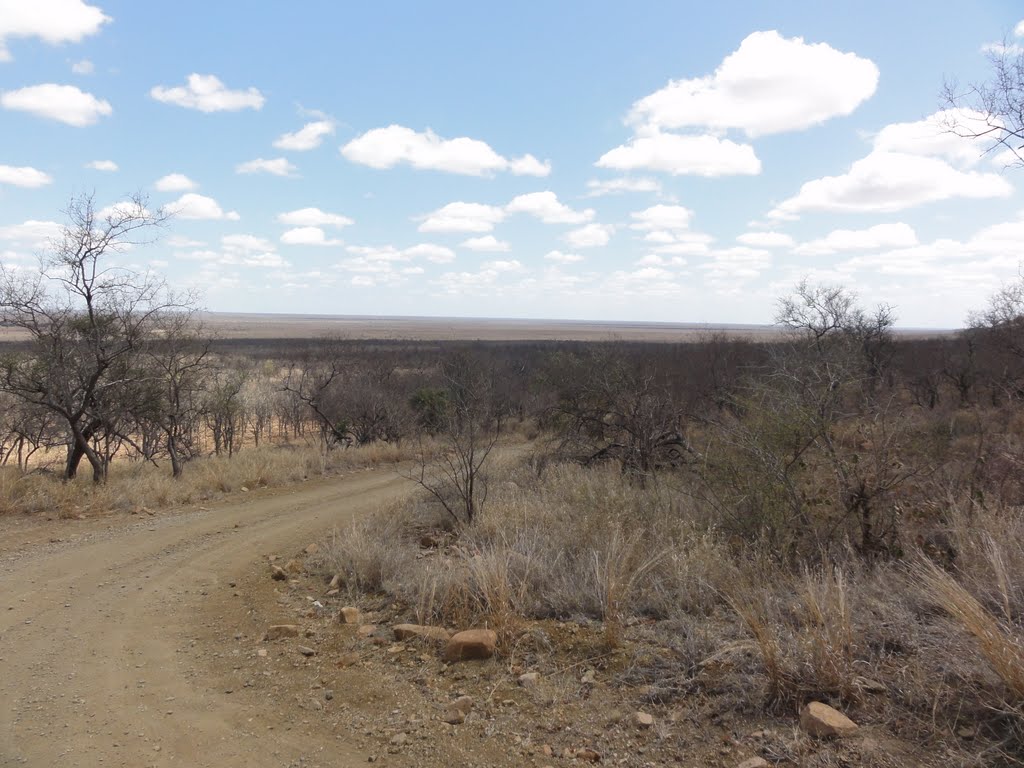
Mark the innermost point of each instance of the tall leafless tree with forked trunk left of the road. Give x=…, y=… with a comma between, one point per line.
x=86, y=319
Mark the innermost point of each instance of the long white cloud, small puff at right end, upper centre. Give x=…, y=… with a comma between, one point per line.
x=396, y=145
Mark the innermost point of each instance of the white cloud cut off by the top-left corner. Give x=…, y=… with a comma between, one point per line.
x=55, y=22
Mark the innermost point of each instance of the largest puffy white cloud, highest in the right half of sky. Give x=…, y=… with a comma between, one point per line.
x=771, y=84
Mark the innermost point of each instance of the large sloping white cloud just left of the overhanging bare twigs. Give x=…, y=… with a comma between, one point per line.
x=911, y=164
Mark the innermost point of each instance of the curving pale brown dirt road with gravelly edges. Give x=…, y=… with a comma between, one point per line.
x=97, y=632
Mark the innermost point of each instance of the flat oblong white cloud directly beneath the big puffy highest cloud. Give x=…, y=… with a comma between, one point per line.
x=670, y=153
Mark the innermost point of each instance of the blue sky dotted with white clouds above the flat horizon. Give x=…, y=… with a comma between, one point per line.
x=652, y=161
